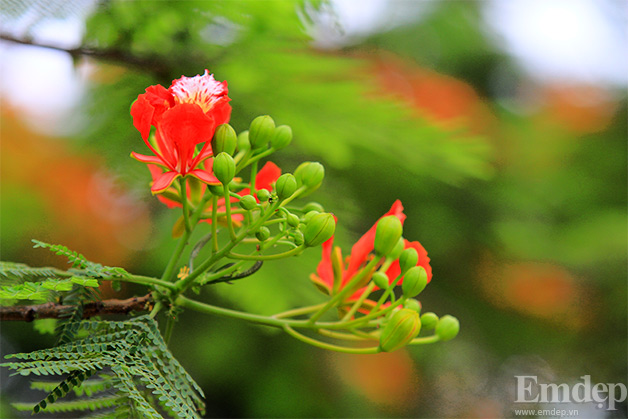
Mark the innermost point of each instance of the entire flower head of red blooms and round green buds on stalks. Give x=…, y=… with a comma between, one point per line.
x=199, y=166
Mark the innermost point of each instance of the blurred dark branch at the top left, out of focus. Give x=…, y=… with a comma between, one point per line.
x=144, y=63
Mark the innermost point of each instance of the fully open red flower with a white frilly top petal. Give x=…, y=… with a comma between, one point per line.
x=184, y=116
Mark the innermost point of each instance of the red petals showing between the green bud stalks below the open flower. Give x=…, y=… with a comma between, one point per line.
x=264, y=180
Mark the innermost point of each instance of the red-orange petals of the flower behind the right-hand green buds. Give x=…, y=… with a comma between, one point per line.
x=361, y=254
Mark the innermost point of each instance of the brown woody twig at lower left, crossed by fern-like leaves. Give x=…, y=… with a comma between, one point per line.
x=93, y=308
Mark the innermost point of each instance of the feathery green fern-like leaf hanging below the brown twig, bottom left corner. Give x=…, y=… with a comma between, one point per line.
x=134, y=362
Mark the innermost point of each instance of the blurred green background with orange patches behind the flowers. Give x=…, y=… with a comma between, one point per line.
x=509, y=157
